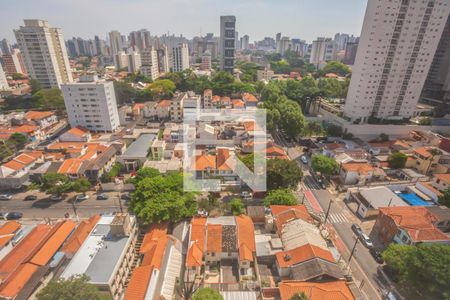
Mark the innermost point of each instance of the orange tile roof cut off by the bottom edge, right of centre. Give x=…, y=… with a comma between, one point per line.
x=333, y=290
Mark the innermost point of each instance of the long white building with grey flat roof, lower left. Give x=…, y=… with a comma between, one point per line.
x=107, y=254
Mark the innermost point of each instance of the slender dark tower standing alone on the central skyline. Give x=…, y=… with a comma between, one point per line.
x=227, y=43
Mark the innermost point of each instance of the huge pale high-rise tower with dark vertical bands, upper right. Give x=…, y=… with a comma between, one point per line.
x=395, y=51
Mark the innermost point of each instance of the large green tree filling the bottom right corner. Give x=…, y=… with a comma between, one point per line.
x=423, y=269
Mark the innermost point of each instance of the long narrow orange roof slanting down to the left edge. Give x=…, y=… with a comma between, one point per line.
x=23, y=250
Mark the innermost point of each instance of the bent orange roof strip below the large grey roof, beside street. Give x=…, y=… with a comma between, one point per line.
x=301, y=254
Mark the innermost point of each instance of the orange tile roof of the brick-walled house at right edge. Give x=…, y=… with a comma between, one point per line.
x=417, y=221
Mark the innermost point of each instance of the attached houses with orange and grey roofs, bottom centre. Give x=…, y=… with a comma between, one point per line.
x=216, y=244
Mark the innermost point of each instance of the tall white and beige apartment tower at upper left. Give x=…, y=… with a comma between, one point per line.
x=44, y=53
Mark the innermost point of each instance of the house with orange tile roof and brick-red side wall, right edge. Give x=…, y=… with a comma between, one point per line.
x=408, y=225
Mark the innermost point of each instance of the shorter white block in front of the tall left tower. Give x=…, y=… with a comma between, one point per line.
x=91, y=103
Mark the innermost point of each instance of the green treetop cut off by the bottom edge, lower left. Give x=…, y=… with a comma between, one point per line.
x=74, y=288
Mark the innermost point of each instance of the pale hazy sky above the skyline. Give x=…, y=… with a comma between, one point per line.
x=304, y=19
